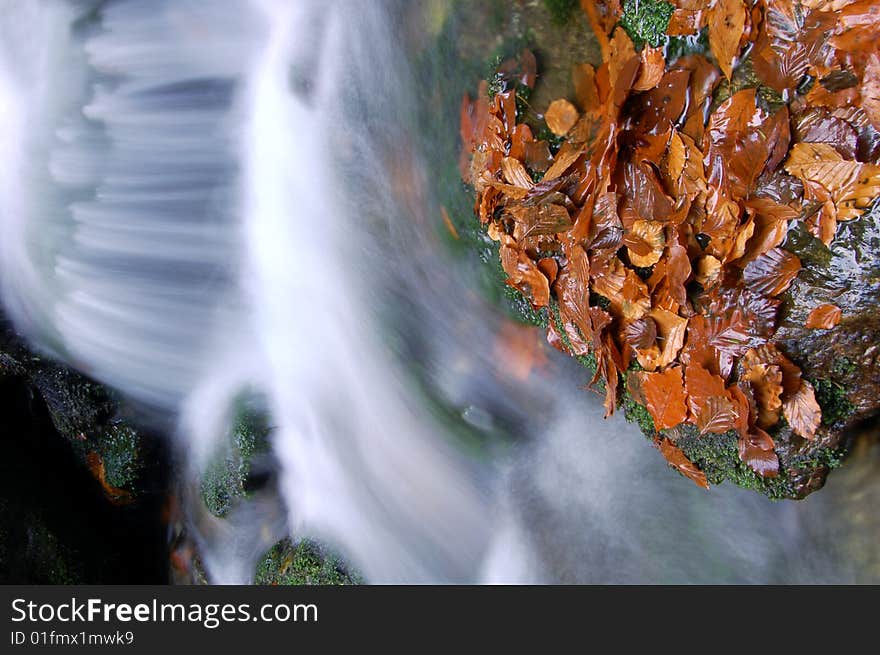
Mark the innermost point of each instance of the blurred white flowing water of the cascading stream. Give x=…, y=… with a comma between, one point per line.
x=201, y=198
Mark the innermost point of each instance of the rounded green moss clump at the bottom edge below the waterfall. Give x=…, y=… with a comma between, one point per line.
x=304, y=563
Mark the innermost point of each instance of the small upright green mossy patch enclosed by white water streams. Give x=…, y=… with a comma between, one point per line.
x=225, y=480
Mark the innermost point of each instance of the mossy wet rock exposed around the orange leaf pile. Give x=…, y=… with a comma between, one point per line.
x=843, y=364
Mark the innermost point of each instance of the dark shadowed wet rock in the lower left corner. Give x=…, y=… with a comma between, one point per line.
x=81, y=491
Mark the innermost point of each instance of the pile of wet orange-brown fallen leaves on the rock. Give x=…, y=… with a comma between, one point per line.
x=655, y=229
